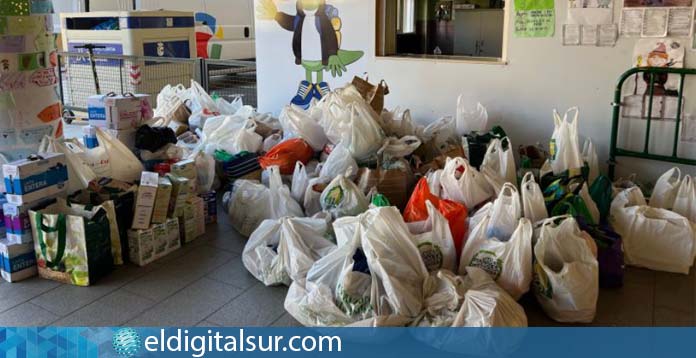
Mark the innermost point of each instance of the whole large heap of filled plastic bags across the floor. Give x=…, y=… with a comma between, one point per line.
x=372, y=219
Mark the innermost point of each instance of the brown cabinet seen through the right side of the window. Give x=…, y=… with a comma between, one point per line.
x=479, y=33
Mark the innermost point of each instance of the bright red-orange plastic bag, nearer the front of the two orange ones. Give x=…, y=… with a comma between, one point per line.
x=455, y=213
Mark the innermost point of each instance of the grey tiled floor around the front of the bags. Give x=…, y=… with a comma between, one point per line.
x=205, y=284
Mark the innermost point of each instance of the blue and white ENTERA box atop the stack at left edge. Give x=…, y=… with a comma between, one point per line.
x=35, y=178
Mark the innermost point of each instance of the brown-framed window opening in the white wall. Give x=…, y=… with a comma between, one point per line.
x=459, y=29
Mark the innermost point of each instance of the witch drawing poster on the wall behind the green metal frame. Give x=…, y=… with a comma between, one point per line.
x=668, y=53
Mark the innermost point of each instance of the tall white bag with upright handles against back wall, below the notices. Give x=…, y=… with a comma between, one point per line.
x=565, y=145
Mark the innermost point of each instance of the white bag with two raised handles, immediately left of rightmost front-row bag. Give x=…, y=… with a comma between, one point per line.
x=509, y=262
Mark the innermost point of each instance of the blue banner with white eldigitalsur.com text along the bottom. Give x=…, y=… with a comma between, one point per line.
x=346, y=342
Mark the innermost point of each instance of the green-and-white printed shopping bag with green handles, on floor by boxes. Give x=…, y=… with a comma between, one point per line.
x=72, y=245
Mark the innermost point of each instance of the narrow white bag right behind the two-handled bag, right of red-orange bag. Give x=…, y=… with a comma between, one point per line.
x=505, y=214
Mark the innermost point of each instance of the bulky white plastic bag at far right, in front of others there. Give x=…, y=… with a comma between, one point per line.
x=653, y=238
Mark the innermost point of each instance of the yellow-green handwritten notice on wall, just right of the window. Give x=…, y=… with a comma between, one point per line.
x=534, y=18
